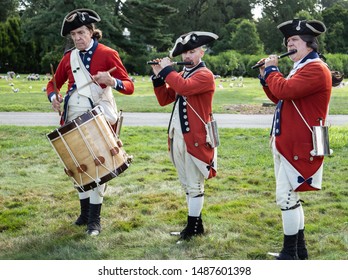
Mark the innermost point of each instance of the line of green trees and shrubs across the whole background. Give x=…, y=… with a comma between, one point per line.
x=141, y=30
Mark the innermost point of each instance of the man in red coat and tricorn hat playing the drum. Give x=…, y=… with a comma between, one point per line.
x=87, y=68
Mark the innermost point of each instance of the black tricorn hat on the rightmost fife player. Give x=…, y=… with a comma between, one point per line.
x=301, y=27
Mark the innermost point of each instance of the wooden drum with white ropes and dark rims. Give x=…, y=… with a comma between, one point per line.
x=89, y=141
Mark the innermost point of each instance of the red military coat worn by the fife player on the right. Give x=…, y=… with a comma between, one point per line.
x=310, y=89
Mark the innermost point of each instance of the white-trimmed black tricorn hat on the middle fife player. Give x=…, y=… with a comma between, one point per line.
x=191, y=40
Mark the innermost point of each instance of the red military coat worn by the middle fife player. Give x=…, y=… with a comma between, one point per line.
x=199, y=89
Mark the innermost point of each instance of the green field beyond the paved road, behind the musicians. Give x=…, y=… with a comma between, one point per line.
x=231, y=96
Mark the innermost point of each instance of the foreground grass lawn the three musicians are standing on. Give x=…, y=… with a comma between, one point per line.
x=38, y=203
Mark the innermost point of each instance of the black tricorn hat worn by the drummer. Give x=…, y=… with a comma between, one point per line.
x=78, y=18
